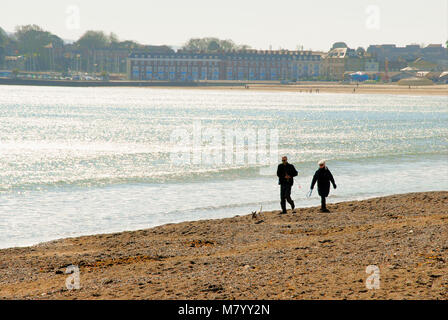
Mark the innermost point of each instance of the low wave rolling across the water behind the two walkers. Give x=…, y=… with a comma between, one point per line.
x=195, y=174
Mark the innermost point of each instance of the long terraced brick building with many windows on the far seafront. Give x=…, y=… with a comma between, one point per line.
x=248, y=65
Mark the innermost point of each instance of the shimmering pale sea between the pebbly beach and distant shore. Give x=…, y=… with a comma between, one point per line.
x=76, y=161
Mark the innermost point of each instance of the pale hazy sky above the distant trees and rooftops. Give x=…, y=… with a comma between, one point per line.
x=315, y=24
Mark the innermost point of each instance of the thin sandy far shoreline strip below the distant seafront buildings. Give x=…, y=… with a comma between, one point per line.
x=299, y=87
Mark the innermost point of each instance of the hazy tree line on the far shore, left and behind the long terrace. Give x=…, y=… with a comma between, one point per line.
x=41, y=50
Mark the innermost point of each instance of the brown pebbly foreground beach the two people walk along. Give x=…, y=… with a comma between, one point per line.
x=309, y=255
